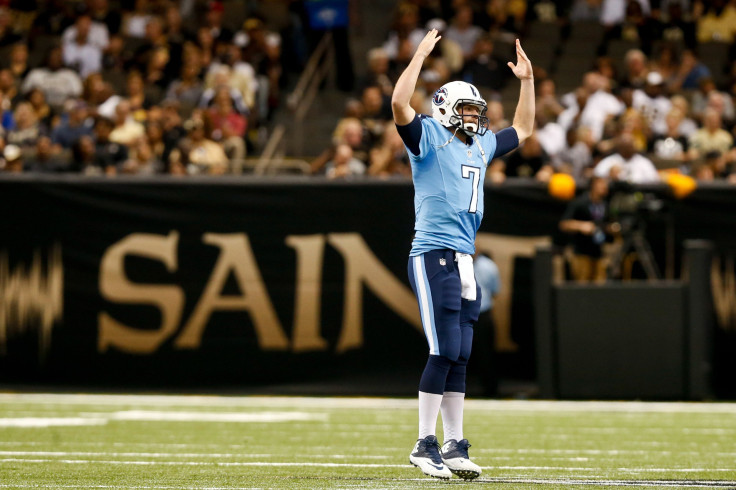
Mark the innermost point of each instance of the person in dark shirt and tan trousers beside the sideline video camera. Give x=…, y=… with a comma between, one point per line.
x=586, y=218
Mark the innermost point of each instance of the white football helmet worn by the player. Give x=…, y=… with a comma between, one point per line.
x=448, y=103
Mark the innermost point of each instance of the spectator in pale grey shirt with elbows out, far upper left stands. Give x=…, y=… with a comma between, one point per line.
x=56, y=82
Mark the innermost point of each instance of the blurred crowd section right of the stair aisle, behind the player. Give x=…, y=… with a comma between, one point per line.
x=658, y=109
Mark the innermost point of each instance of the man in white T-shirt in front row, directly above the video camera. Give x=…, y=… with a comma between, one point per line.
x=627, y=165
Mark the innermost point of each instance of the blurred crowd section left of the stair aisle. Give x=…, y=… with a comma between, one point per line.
x=139, y=86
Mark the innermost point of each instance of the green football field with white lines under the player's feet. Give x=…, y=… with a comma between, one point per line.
x=212, y=442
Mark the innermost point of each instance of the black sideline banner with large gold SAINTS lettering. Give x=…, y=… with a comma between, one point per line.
x=167, y=282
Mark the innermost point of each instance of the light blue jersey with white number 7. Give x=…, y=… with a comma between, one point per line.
x=448, y=188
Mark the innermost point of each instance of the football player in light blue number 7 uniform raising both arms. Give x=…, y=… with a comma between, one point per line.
x=449, y=154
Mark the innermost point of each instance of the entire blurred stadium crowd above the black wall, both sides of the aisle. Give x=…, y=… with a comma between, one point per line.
x=169, y=86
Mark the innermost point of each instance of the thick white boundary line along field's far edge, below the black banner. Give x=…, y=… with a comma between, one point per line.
x=369, y=403
